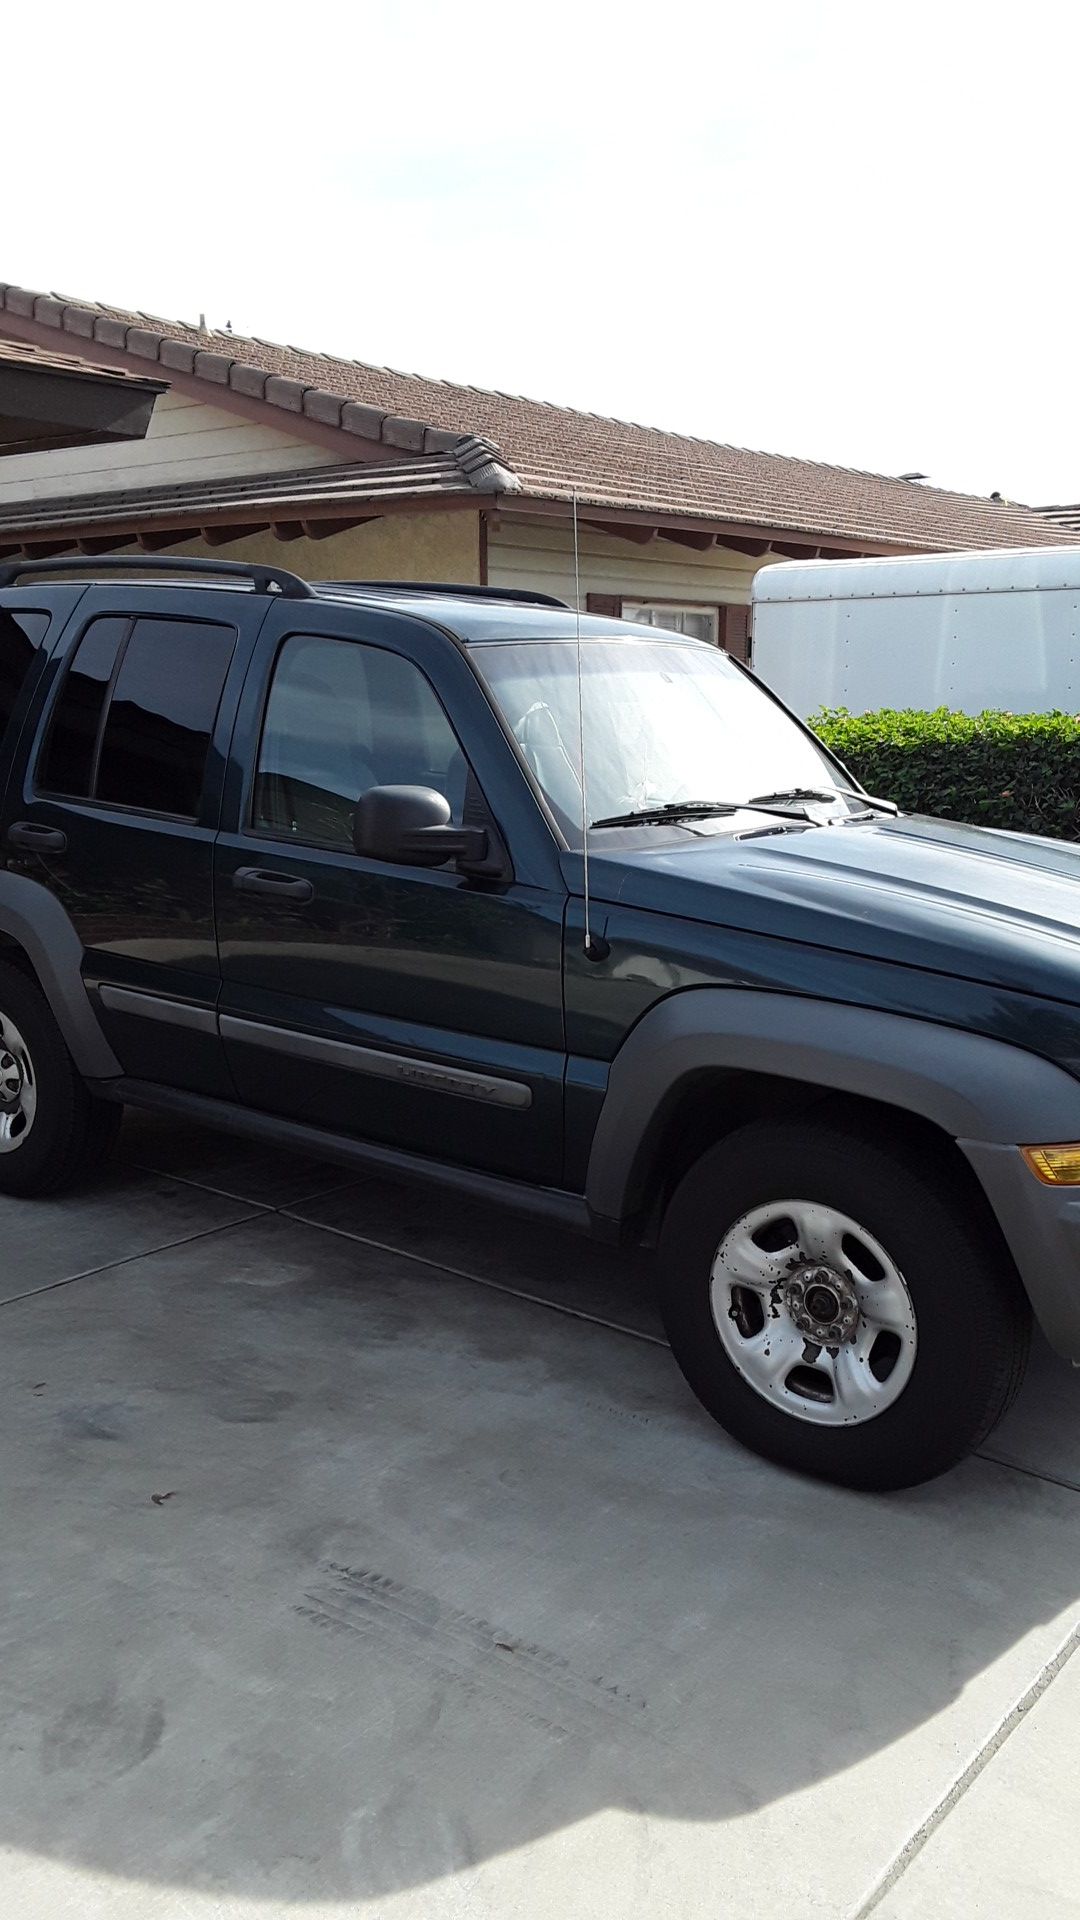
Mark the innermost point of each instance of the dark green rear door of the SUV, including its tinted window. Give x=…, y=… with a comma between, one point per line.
x=120, y=807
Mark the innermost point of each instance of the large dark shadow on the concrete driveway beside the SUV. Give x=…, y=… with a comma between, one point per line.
x=328, y=1575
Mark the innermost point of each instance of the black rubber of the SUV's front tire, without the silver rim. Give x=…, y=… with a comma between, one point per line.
x=973, y=1320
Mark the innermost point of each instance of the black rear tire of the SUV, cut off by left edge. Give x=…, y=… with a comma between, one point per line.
x=72, y=1132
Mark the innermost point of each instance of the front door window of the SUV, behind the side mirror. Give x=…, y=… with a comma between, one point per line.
x=343, y=719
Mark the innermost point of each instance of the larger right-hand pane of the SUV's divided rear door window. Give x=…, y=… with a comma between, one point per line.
x=162, y=713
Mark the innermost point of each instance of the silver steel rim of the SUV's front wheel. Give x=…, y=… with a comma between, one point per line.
x=814, y=1314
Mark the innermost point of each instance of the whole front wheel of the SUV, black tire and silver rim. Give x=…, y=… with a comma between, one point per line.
x=839, y=1307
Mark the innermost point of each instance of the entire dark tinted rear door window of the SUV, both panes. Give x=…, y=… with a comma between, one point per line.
x=137, y=713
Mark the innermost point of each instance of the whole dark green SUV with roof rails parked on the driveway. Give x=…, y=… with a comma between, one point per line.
x=314, y=863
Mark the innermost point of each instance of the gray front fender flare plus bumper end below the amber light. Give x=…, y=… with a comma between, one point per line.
x=987, y=1095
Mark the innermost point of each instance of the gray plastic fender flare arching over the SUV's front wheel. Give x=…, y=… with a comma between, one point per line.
x=973, y=1088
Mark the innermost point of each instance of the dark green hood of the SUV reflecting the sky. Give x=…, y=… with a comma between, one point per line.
x=1002, y=909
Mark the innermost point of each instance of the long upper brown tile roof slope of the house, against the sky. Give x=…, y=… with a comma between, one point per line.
x=554, y=452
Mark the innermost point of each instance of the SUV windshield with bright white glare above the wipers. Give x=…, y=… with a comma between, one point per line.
x=664, y=723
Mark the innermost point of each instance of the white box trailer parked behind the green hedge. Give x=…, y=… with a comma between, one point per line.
x=964, y=631
